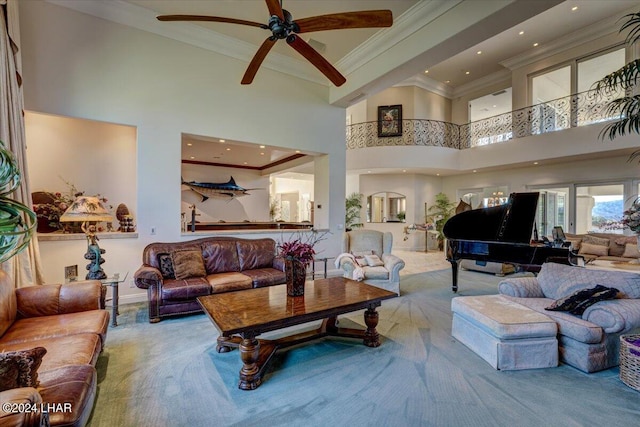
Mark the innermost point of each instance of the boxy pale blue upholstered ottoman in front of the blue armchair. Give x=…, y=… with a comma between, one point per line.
x=508, y=335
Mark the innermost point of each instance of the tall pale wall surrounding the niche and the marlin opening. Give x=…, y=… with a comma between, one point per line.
x=81, y=66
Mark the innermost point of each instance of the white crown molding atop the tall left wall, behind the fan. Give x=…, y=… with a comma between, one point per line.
x=144, y=19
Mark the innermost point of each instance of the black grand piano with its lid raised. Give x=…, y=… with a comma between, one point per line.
x=500, y=234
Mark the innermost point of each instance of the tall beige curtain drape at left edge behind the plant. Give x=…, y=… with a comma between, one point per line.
x=24, y=268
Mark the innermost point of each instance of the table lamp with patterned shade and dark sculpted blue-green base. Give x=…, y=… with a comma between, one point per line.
x=89, y=211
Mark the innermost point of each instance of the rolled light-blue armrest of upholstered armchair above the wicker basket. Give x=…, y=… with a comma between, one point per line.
x=613, y=316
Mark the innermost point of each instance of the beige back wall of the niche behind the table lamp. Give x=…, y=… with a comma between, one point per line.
x=67, y=155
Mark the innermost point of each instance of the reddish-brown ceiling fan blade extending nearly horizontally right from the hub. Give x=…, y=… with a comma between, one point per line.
x=340, y=21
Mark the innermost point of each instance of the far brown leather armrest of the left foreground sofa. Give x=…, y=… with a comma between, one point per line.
x=49, y=300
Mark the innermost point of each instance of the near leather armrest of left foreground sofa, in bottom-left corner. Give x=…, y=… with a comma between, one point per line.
x=22, y=396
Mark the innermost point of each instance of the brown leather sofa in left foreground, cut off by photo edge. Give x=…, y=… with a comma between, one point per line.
x=67, y=320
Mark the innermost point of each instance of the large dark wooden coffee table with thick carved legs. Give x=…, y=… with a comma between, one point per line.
x=241, y=316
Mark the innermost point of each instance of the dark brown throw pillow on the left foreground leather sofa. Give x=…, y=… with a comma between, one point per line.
x=20, y=368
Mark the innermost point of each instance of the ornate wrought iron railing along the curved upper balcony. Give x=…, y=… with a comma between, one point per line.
x=580, y=109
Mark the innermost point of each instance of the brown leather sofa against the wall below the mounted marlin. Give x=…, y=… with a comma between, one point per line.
x=230, y=264
